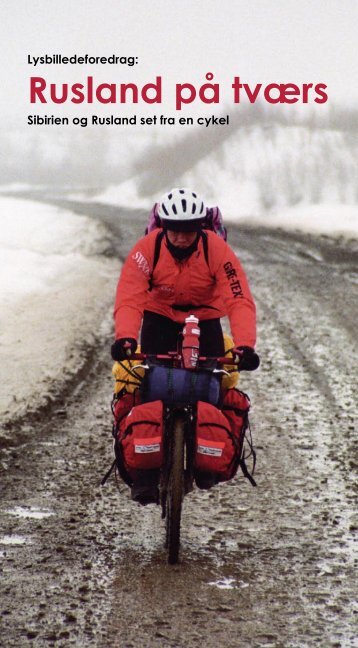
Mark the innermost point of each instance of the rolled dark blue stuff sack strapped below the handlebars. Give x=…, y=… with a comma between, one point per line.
x=180, y=386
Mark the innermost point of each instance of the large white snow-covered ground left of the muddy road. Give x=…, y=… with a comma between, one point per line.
x=56, y=289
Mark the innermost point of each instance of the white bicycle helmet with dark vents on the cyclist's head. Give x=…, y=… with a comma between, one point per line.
x=181, y=210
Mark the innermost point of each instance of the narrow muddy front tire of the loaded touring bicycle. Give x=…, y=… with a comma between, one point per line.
x=175, y=491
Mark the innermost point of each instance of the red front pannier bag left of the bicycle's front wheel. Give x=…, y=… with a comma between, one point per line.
x=140, y=437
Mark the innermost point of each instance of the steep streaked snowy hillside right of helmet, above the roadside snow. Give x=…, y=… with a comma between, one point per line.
x=268, y=169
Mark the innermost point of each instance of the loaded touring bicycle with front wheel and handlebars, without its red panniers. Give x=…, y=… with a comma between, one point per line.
x=178, y=471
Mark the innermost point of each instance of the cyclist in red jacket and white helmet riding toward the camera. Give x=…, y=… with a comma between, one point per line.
x=174, y=271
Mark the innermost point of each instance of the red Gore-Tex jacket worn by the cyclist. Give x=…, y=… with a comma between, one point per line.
x=212, y=289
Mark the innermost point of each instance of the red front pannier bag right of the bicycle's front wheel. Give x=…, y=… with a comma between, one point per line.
x=215, y=450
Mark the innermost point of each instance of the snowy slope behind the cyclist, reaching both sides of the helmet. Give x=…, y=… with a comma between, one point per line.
x=289, y=177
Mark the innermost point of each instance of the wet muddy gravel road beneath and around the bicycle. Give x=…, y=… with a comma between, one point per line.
x=82, y=565
